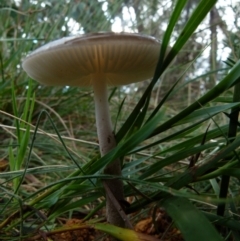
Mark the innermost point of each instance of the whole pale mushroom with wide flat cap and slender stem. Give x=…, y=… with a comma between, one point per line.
x=98, y=60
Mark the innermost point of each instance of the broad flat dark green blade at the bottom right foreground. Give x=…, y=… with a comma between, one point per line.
x=193, y=225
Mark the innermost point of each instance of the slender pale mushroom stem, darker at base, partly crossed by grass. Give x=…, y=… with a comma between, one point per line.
x=107, y=142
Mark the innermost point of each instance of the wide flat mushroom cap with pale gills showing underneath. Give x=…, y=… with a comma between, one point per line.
x=119, y=58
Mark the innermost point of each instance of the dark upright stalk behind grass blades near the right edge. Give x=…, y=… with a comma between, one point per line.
x=233, y=125
